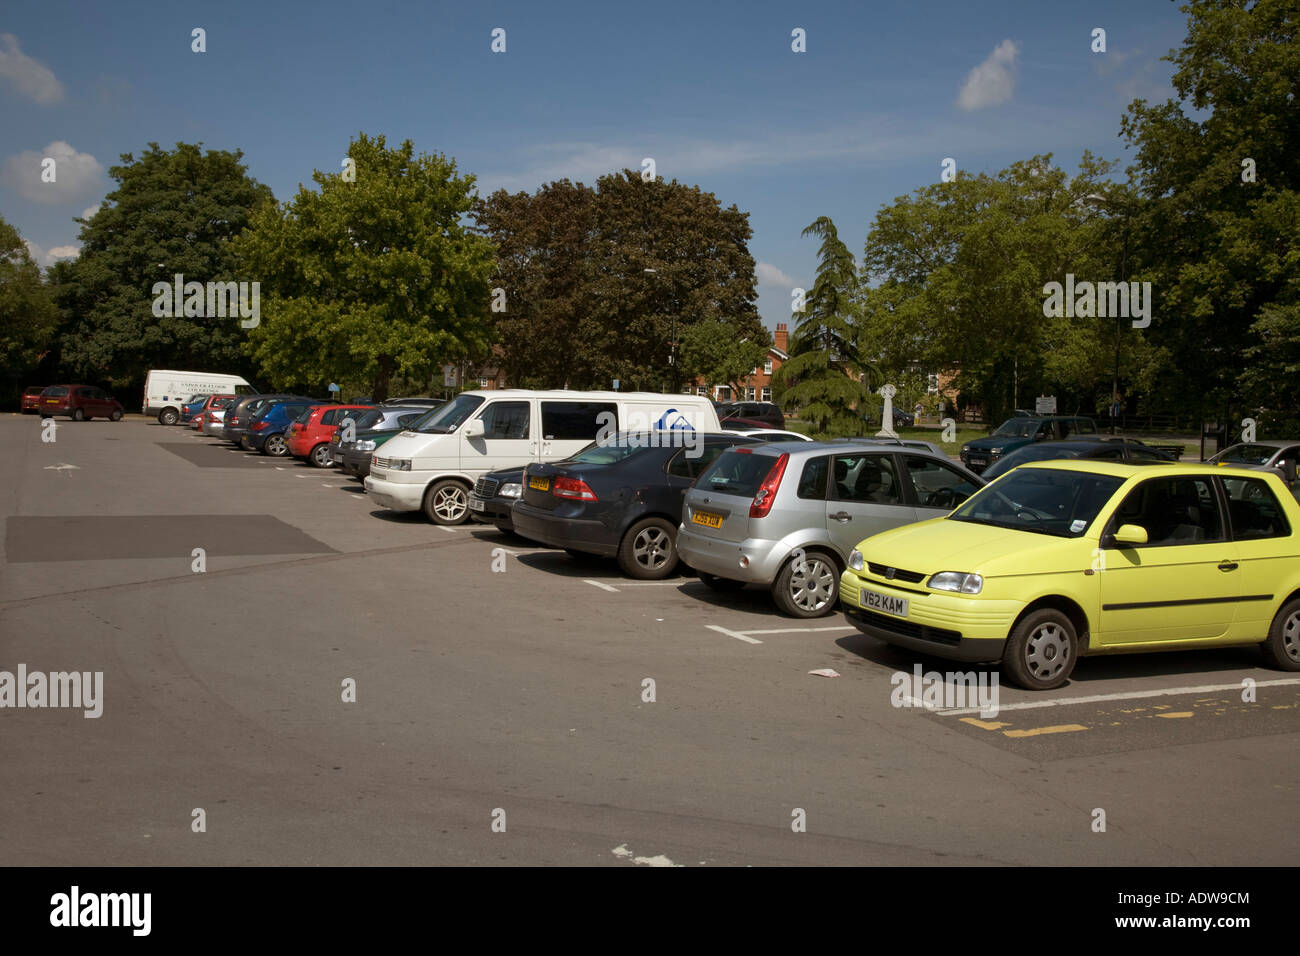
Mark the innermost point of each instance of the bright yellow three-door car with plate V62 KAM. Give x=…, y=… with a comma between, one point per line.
x=1056, y=560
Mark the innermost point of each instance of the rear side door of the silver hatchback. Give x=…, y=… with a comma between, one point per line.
x=866, y=496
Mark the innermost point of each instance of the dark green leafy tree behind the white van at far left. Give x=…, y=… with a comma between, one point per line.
x=174, y=211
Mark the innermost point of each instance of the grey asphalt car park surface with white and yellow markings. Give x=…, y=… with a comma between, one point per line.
x=502, y=711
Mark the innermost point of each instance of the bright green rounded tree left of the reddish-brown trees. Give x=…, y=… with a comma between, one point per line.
x=374, y=278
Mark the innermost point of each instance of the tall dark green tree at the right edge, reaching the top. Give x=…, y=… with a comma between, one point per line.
x=1225, y=250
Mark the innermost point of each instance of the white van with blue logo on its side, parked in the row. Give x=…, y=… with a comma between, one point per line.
x=435, y=469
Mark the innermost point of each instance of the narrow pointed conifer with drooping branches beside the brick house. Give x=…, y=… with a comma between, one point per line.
x=826, y=377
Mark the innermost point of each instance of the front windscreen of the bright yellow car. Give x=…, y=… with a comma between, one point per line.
x=1046, y=501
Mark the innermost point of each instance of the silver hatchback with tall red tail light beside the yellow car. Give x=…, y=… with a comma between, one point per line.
x=787, y=514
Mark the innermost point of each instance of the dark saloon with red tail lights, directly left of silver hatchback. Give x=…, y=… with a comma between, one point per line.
x=621, y=500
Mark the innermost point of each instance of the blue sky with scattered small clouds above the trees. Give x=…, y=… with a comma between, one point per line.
x=713, y=92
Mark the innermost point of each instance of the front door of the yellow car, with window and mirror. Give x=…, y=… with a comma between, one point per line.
x=1185, y=583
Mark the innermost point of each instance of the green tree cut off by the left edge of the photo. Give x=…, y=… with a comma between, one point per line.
x=28, y=315
